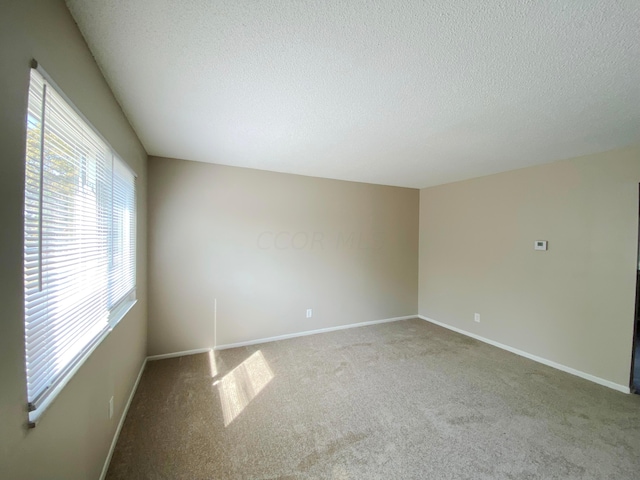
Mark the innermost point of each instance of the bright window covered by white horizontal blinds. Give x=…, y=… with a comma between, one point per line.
x=79, y=241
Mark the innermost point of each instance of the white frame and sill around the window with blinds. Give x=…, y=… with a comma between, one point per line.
x=117, y=311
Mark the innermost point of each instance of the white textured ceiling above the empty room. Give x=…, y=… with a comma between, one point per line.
x=409, y=93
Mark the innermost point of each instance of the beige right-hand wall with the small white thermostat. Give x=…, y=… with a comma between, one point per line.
x=573, y=304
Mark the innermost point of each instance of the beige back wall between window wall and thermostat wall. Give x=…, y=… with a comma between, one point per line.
x=267, y=246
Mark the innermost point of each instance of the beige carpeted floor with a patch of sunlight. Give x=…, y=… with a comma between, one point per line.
x=402, y=400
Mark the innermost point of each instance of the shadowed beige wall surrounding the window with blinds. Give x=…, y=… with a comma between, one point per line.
x=73, y=437
